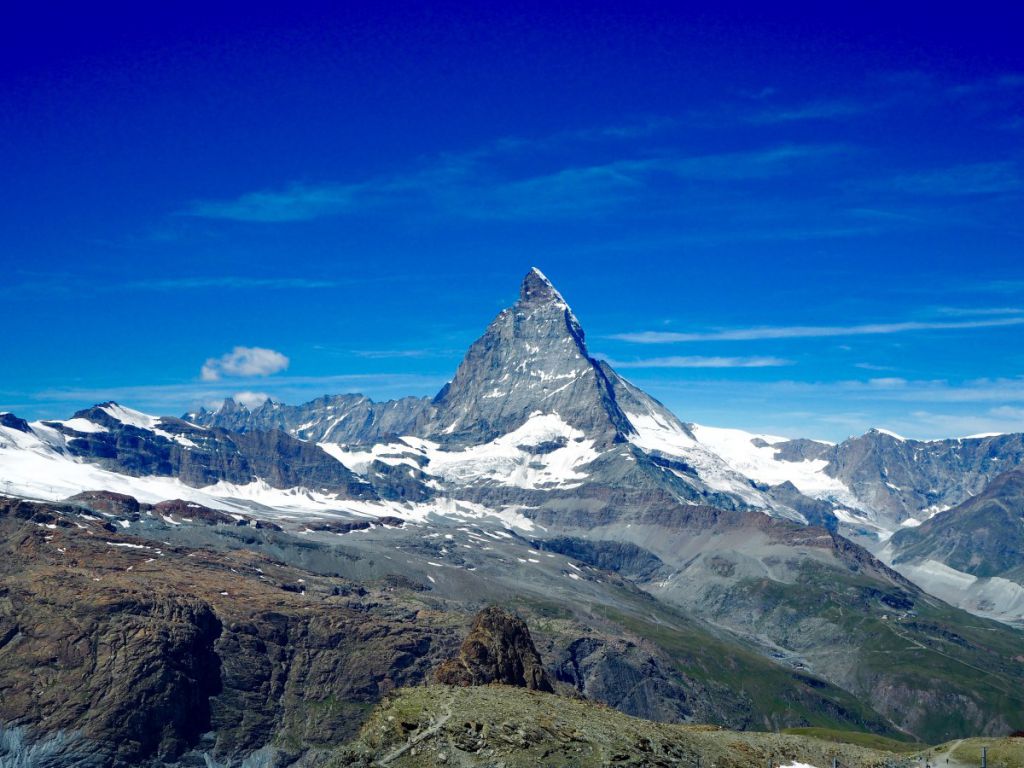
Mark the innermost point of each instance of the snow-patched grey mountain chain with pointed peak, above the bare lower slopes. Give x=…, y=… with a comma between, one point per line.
x=530, y=420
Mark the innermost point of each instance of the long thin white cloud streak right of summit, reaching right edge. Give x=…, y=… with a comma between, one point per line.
x=808, y=332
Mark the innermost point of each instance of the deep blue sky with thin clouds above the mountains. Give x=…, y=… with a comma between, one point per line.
x=795, y=224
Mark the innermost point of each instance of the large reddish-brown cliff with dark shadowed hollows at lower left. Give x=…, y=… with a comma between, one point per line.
x=131, y=654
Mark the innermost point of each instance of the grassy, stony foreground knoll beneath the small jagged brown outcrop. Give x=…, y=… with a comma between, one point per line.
x=511, y=728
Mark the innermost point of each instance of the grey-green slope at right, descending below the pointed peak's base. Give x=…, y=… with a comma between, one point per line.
x=824, y=605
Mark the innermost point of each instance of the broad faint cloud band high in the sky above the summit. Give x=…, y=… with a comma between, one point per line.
x=470, y=186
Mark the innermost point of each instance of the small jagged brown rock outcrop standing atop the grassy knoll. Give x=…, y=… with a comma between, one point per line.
x=498, y=650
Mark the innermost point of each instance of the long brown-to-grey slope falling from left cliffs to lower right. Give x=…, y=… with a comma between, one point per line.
x=236, y=653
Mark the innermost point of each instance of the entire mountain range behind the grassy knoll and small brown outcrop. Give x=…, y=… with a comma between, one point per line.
x=673, y=571
